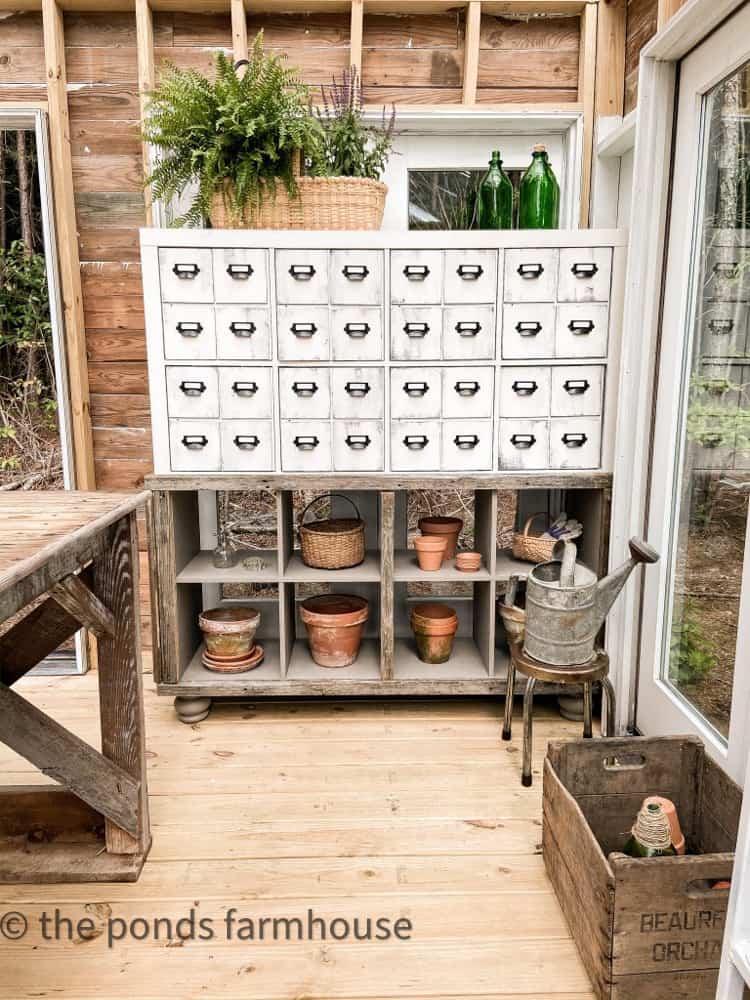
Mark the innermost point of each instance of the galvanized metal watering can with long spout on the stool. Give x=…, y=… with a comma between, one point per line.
x=566, y=605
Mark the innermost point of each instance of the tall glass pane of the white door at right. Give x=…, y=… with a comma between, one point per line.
x=707, y=552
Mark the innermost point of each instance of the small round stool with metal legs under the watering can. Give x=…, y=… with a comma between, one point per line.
x=597, y=669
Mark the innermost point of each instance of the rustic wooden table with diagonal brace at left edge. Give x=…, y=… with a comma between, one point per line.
x=70, y=560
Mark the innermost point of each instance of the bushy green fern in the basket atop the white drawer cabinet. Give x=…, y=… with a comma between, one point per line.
x=237, y=134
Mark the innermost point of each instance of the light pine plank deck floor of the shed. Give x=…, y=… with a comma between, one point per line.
x=387, y=809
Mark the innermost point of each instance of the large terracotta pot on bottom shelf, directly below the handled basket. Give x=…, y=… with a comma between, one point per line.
x=334, y=623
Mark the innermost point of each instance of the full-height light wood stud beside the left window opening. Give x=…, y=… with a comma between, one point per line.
x=67, y=245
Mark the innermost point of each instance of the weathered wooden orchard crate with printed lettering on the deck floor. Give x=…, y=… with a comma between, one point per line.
x=646, y=929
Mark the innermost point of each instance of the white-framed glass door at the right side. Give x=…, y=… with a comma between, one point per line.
x=693, y=661
